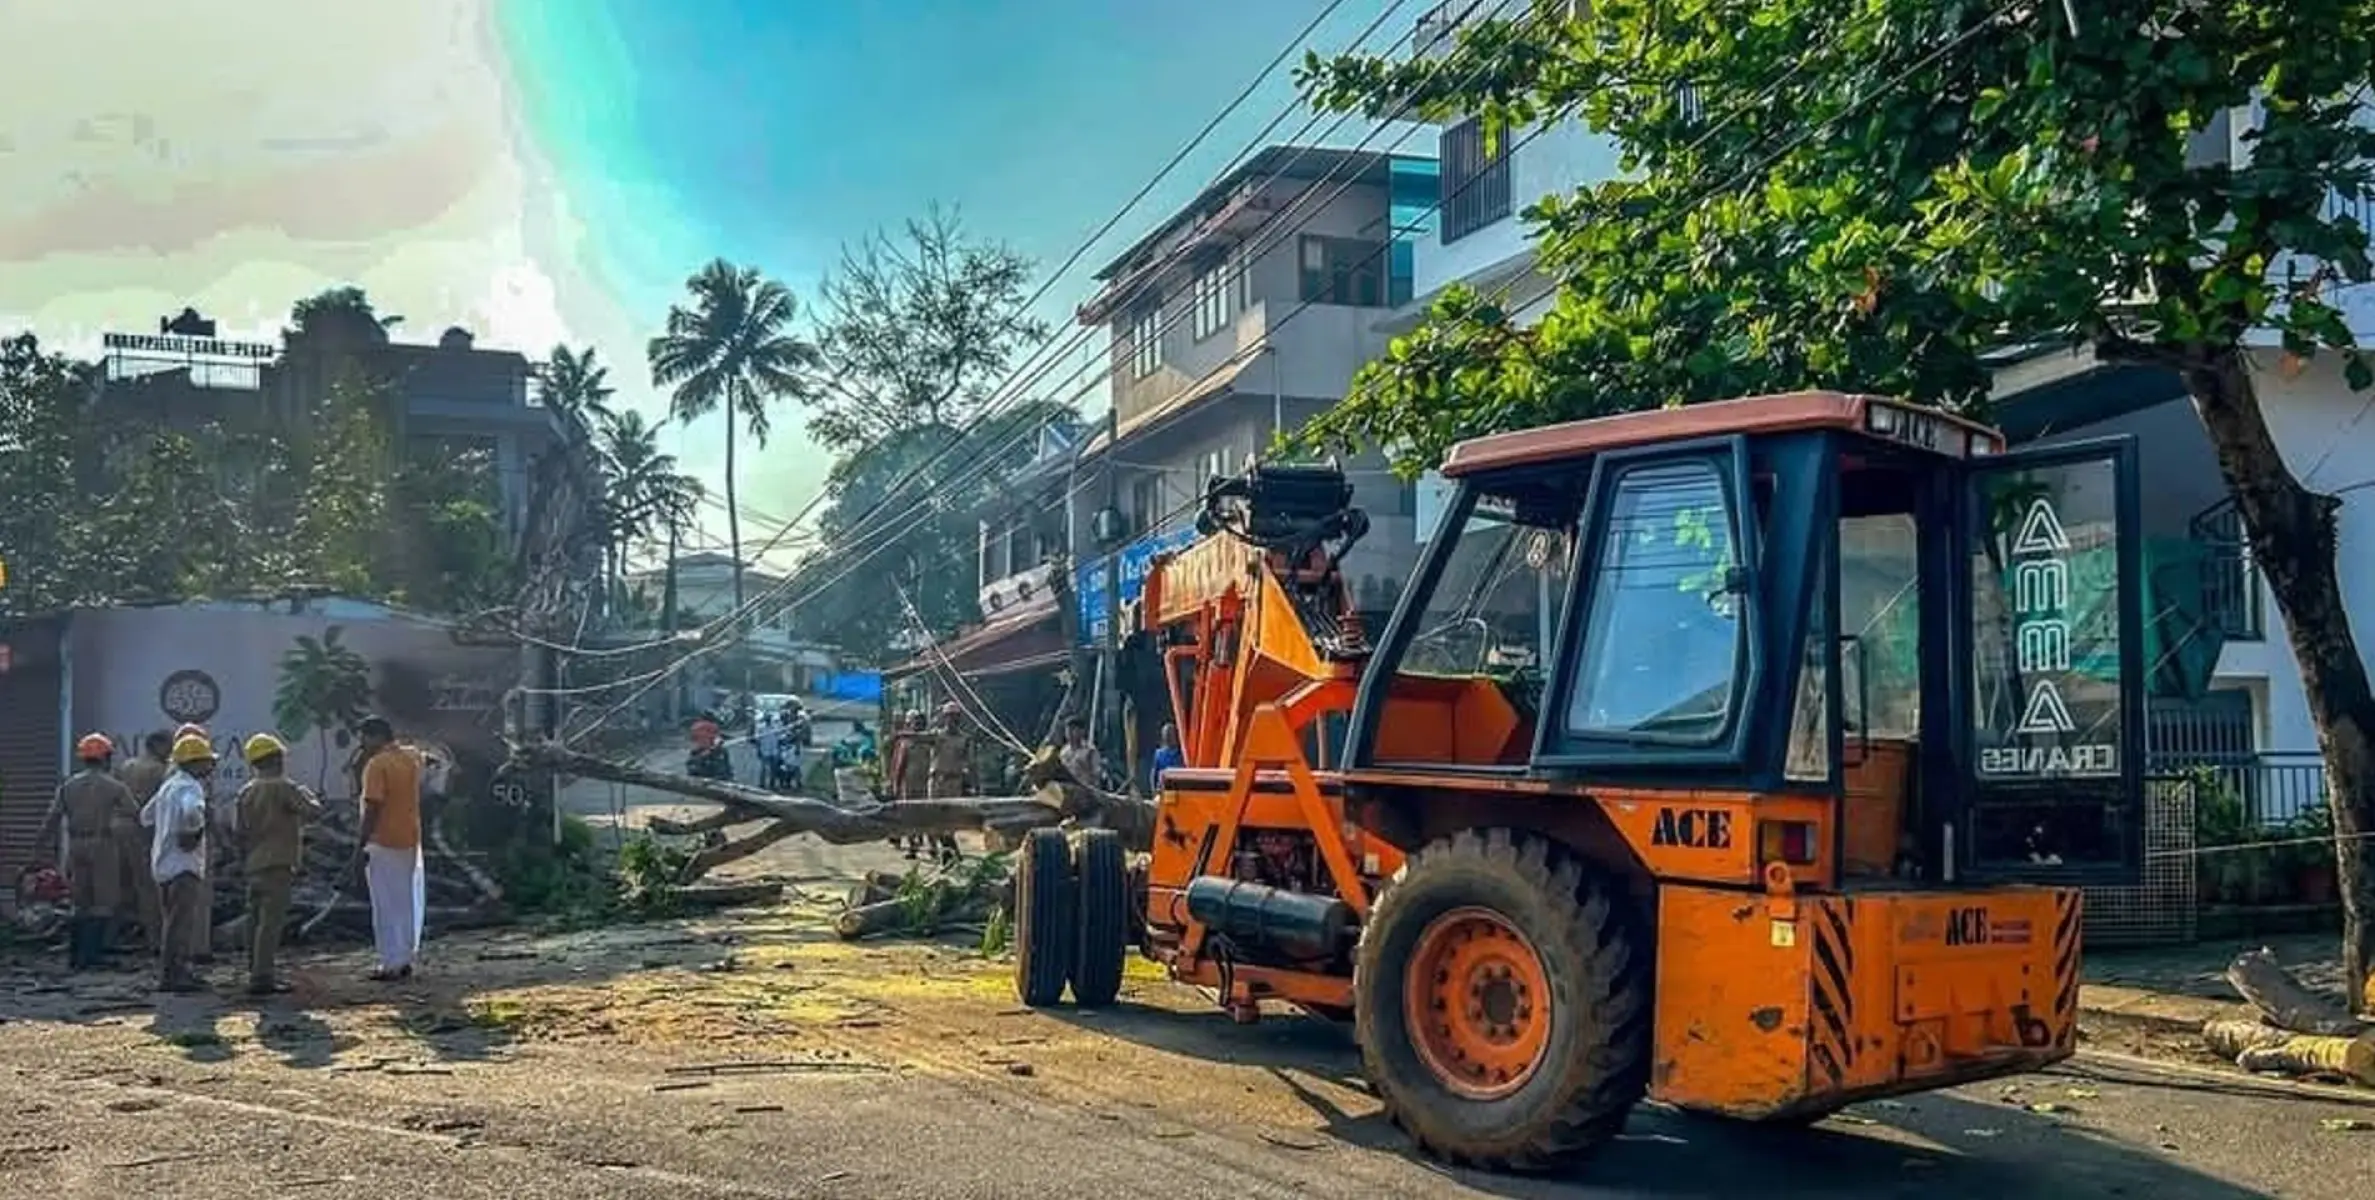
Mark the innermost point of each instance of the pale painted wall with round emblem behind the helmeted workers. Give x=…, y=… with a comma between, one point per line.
x=134, y=671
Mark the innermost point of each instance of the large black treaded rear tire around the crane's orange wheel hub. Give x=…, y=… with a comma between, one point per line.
x=1588, y=959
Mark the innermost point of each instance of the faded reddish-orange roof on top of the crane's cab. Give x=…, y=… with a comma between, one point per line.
x=1754, y=415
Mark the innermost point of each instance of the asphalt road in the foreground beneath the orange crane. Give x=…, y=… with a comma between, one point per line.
x=103, y=1111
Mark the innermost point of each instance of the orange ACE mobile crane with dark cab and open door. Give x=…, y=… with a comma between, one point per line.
x=1747, y=757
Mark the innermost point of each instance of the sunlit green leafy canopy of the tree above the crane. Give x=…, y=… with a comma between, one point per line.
x=1877, y=196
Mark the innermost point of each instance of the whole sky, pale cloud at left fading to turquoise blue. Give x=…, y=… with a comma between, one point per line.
x=555, y=170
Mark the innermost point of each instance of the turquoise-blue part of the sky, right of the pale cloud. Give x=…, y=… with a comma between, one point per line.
x=773, y=134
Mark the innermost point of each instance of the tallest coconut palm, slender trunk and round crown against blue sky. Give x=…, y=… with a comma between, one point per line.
x=733, y=348
